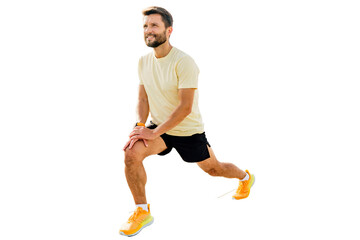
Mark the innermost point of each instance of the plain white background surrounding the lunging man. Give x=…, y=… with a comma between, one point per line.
x=279, y=94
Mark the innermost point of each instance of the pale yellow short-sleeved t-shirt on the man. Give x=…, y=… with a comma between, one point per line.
x=162, y=78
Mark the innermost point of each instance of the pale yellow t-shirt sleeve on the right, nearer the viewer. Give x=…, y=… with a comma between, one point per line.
x=187, y=73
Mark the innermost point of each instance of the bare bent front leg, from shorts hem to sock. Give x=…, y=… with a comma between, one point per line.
x=134, y=168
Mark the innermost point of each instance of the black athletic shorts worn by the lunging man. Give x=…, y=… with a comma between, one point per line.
x=191, y=148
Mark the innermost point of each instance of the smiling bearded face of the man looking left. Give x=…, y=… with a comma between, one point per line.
x=155, y=32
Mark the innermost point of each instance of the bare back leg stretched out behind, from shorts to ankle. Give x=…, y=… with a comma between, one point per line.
x=215, y=168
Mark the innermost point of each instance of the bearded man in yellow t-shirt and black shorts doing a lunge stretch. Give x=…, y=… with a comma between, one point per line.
x=168, y=90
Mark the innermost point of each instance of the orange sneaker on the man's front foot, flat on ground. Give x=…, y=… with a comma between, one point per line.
x=137, y=222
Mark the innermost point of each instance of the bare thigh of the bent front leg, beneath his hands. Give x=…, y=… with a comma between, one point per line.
x=140, y=150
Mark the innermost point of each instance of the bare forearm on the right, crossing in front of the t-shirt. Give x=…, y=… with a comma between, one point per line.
x=177, y=116
